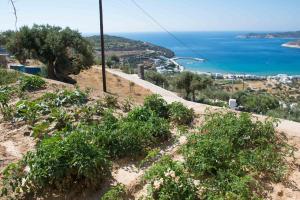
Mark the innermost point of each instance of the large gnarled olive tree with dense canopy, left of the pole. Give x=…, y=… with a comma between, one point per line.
x=63, y=51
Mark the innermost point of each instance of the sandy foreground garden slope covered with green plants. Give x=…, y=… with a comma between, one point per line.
x=91, y=143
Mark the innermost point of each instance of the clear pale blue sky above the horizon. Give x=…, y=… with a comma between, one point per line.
x=175, y=15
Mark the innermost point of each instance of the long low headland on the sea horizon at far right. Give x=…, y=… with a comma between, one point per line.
x=289, y=35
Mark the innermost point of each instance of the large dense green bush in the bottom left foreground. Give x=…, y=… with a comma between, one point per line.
x=59, y=163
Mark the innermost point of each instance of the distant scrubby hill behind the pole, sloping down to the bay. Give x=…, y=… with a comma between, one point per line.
x=118, y=44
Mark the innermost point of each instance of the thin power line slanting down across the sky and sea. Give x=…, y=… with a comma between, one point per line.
x=165, y=29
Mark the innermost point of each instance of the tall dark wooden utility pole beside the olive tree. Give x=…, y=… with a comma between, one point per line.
x=102, y=46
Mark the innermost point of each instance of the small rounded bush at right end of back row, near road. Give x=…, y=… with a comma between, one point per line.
x=180, y=114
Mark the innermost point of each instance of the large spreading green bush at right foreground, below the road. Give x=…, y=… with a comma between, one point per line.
x=234, y=155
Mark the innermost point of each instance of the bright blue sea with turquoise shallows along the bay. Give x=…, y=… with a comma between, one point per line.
x=225, y=53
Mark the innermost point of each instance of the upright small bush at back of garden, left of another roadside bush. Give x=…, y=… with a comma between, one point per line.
x=157, y=104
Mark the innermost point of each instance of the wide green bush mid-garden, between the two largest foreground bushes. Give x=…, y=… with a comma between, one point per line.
x=130, y=137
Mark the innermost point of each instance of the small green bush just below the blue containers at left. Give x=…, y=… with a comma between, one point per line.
x=32, y=83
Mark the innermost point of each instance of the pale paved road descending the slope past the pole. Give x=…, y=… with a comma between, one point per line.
x=288, y=127
